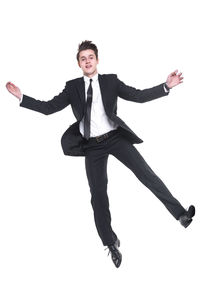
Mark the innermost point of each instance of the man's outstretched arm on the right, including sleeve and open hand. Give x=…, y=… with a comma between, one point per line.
x=132, y=94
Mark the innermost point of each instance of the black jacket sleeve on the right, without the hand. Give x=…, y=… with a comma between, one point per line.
x=132, y=94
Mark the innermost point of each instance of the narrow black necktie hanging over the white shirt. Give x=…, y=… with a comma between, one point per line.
x=88, y=112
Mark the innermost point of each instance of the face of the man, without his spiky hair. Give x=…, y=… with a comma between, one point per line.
x=88, y=62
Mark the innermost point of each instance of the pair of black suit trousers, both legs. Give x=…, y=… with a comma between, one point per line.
x=96, y=168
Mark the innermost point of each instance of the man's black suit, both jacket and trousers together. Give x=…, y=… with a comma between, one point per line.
x=119, y=144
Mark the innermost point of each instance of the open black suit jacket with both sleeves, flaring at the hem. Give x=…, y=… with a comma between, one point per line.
x=74, y=94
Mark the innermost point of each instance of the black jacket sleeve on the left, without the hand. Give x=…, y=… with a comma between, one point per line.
x=47, y=107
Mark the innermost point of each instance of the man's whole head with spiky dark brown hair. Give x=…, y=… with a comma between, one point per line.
x=87, y=58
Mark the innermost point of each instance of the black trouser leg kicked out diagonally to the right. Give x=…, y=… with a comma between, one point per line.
x=124, y=151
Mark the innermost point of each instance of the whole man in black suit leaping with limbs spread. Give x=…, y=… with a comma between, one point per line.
x=99, y=132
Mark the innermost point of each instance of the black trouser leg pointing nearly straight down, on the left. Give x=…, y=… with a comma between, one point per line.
x=96, y=170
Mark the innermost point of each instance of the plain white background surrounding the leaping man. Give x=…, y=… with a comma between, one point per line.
x=49, y=247
